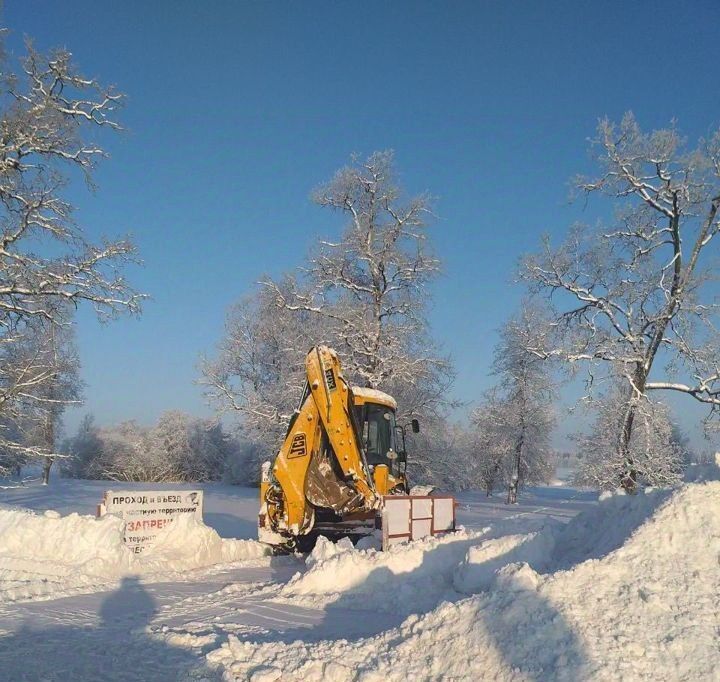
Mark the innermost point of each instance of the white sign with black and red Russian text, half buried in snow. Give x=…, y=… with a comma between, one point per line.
x=146, y=512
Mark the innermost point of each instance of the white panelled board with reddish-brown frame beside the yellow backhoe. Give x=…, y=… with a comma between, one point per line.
x=411, y=517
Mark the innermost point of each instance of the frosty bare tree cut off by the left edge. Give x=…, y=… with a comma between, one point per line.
x=47, y=114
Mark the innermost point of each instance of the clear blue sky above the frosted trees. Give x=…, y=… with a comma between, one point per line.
x=236, y=110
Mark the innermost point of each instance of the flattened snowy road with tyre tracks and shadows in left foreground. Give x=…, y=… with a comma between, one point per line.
x=157, y=631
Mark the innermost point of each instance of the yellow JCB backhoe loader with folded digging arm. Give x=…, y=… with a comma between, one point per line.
x=342, y=458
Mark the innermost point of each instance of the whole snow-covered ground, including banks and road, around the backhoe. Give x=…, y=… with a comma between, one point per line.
x=559, y=587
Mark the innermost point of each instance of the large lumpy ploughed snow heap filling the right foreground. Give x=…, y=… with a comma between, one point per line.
x=641, y=603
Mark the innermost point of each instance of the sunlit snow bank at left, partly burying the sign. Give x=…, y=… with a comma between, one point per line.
x=48, y=554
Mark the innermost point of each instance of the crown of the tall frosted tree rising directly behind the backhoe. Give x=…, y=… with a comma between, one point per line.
x=369, y=287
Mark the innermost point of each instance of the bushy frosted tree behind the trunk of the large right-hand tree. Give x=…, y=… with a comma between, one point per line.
x=654, y=450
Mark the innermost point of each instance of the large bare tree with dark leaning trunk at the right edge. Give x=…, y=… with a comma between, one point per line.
x=635, y=293
